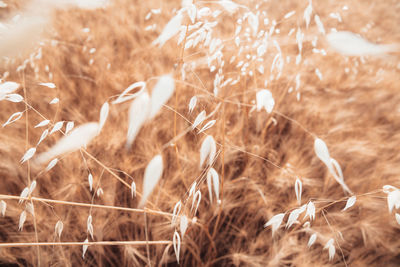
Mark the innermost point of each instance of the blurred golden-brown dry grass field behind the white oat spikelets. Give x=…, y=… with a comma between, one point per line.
x=260, y=155
